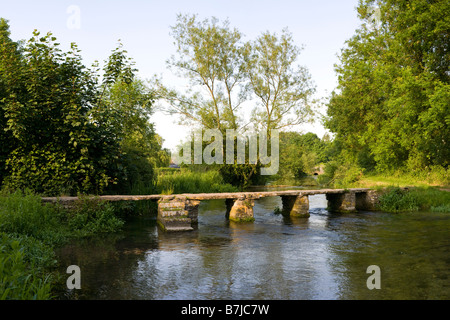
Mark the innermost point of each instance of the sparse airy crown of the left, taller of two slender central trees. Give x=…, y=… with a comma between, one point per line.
x=210, y=56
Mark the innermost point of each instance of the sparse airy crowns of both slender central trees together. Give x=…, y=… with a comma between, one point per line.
x=224, y=71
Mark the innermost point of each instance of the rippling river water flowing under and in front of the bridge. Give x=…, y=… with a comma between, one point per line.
x=323, y=257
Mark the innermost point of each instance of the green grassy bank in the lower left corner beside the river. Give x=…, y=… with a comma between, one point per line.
x=31, y=230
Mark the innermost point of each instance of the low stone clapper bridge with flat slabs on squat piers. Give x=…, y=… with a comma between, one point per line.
x=179, y=212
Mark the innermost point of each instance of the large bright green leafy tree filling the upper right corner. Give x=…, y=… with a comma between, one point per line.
x=391, y=108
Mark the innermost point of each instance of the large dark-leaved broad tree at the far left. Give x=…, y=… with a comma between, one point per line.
x=47, y=102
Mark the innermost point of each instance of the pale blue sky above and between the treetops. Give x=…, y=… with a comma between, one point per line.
x=144, y=26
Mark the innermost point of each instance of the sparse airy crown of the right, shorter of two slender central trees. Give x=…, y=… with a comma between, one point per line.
x=283, y=89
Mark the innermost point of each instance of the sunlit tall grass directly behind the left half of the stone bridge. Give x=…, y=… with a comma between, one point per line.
x=185, y=181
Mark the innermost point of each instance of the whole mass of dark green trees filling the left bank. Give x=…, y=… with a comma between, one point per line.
x=63, y=133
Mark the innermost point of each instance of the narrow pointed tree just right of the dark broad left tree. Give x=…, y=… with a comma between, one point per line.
x=126, y=105
